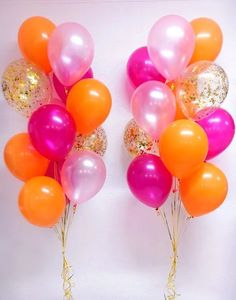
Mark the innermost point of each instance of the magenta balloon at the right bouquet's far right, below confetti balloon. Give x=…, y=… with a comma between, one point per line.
x=220, y=129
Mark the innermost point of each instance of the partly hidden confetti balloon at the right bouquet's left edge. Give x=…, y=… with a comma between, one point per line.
x=137, y=141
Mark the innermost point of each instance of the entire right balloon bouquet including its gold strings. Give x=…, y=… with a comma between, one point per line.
x=178, y=124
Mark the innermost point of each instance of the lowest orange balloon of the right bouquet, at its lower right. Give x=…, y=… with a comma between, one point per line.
x=204, y=190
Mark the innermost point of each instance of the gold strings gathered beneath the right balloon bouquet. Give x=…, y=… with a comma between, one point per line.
x=173, y=227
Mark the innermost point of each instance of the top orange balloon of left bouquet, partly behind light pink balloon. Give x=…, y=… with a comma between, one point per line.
x=33, y=37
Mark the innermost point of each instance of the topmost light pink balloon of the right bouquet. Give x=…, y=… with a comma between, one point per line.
x=171, y=43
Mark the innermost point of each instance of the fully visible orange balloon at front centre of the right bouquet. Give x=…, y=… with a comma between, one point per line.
x=183, y=146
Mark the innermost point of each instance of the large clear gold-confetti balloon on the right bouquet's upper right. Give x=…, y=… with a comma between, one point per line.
x=202, y=89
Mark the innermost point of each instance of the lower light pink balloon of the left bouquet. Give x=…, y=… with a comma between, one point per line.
x=83, y=175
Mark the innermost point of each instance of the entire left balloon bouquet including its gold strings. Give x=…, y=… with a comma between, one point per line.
x=59, y=158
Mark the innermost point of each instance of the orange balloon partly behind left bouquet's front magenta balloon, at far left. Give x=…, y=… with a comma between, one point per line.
x=21, y=158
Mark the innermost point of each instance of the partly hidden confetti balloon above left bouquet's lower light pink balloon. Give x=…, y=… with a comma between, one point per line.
x=95, y=141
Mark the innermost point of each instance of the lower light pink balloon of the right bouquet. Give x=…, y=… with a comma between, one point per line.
x=153, y=105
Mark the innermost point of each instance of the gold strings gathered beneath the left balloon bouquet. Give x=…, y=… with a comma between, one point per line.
x=62, y=230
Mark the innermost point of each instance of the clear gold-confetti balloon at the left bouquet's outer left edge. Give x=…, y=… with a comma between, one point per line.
x=25, y=87
